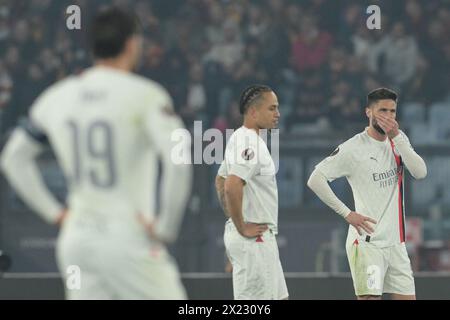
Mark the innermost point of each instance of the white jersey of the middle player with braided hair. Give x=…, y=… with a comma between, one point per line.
x=248, y=157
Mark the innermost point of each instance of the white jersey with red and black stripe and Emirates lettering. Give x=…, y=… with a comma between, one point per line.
x=375, y=174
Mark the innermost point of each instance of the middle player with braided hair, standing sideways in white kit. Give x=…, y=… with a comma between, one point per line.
x=247, y=190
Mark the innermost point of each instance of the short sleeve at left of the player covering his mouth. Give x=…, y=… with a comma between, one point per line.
x=337, y=164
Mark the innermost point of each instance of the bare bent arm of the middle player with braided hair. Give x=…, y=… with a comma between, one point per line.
x=234, y=190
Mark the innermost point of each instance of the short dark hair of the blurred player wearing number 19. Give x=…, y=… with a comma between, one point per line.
x=109, y=31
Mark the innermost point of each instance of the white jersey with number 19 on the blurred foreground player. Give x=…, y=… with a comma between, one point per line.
x=106, y=128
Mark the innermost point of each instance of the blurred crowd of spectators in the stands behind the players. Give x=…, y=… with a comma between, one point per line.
x=318, y=55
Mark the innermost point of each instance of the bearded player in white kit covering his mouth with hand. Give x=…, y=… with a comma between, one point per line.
x=373, y=162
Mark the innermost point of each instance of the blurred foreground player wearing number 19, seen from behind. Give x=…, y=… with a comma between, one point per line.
x=107, y=127
